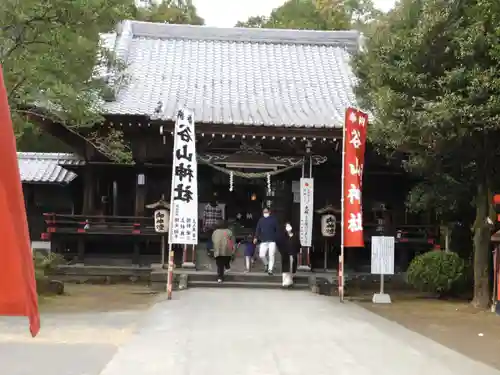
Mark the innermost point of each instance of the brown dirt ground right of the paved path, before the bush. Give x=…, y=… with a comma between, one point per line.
x=455, y=324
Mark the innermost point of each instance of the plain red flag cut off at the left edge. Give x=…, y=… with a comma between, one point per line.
x=18, y=295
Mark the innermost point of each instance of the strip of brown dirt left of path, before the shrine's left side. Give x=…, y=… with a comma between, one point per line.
x=80, y=298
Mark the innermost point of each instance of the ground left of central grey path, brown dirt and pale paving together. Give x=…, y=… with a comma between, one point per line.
x=80, y=332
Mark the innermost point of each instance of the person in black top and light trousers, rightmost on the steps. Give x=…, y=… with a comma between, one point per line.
x=289, y=247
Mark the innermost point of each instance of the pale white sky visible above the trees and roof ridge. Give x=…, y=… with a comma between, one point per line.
x=225, y=13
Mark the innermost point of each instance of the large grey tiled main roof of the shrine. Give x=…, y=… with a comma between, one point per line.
x=236, y=75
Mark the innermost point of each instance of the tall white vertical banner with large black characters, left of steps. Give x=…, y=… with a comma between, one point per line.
x=184, y=193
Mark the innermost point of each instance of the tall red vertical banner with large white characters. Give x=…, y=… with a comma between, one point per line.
x=356, y=123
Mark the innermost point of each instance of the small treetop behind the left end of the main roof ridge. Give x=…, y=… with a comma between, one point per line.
x=171, y=11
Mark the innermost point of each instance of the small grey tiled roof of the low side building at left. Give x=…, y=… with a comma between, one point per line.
x=43, y=168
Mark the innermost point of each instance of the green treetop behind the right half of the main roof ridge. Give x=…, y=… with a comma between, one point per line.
x=316, y=15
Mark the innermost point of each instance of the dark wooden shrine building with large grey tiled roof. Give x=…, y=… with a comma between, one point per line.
x=269, y=106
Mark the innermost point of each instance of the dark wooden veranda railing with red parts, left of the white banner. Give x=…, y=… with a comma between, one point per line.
x=88, y=224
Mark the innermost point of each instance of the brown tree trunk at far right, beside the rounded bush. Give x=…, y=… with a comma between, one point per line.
x=481, y=250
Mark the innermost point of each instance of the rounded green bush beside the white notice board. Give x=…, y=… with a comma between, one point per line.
x=436, y=272
